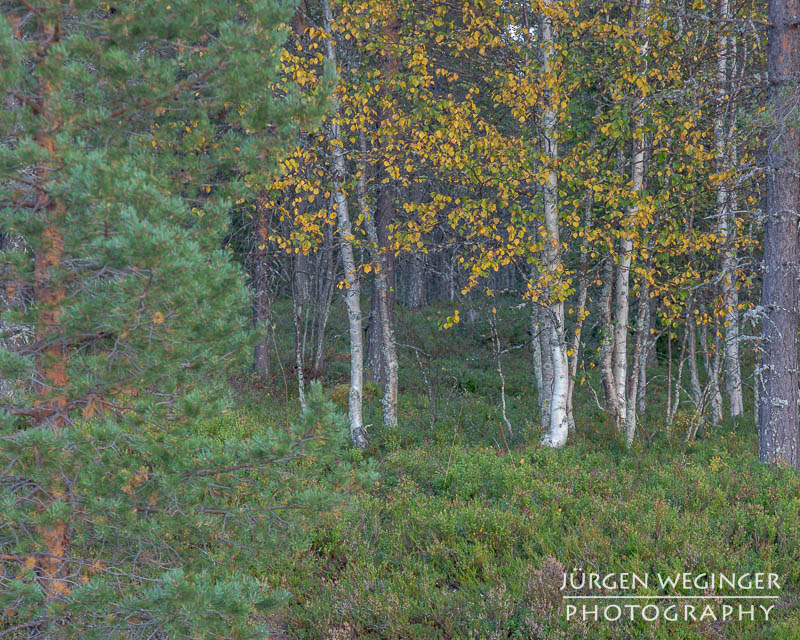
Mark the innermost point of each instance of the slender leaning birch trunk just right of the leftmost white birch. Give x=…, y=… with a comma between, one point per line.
x=381, y=269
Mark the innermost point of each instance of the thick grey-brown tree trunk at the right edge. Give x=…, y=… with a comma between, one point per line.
x=779, y=437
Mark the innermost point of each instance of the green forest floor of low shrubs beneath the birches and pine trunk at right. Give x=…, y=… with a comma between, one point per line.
x=469, y=528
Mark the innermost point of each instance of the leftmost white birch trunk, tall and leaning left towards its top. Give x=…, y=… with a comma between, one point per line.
x=344, y=227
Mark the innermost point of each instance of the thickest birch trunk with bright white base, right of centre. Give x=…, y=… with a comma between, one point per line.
x=554, y=315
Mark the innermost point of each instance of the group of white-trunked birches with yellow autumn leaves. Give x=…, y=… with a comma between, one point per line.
x=604, y=163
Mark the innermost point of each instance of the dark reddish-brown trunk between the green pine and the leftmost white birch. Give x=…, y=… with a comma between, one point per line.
x=260, y=286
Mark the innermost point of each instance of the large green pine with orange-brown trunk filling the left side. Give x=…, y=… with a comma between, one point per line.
x=127, y=135
